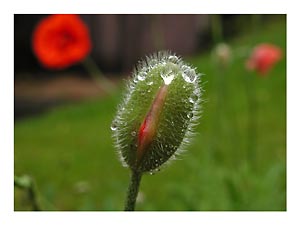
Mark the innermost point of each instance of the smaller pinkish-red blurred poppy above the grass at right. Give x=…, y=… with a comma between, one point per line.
x=263, y=58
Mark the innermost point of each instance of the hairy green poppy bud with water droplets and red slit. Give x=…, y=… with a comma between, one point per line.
x=158, y=115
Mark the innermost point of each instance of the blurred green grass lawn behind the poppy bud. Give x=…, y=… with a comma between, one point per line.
x=69, y=152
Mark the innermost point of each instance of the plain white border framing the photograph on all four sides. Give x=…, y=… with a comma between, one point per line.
x=8, y=8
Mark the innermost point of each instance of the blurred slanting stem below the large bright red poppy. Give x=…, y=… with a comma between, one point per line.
x=97, y=75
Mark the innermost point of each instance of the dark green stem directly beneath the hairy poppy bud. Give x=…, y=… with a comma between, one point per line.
x=133, y=190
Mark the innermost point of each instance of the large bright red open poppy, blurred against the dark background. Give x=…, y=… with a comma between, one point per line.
x=60, y=41
